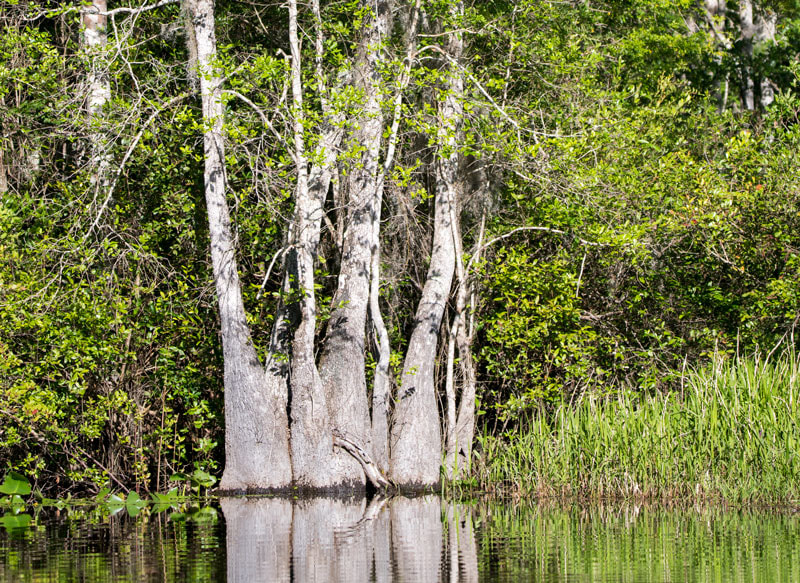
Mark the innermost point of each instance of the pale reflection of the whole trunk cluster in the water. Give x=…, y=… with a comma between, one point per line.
x=353, y=541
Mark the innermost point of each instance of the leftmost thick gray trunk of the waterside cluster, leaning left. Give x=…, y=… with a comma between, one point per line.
x=256, y=424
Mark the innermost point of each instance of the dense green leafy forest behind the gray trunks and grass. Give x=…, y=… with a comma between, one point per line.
x=628, y=206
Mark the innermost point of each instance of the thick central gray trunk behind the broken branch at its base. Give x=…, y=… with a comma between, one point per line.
x=342, y=364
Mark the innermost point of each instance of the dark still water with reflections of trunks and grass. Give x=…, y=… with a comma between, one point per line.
x=422, y=539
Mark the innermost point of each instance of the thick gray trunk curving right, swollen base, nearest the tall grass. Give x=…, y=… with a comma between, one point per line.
x=416, y=432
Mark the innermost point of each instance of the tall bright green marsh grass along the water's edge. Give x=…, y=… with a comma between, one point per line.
x=730, y=434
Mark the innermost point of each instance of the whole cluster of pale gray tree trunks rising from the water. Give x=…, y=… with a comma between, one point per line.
x=305, y=419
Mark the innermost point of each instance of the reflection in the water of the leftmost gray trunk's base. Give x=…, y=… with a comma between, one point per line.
x=258, y=539
